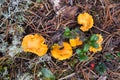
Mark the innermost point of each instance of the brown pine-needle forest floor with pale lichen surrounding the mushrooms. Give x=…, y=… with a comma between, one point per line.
x=50, y=18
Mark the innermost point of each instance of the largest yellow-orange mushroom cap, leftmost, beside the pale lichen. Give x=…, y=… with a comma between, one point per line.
x=35, y=44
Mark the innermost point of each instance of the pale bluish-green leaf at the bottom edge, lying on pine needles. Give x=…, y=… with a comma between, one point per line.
x=47, y=74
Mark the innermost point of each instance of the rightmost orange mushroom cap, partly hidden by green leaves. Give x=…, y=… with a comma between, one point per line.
x=99, y=41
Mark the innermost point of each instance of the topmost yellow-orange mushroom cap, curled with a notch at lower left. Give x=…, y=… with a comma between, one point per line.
x=85, y=20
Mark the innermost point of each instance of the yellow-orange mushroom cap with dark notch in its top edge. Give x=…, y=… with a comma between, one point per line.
x=62, y=54
